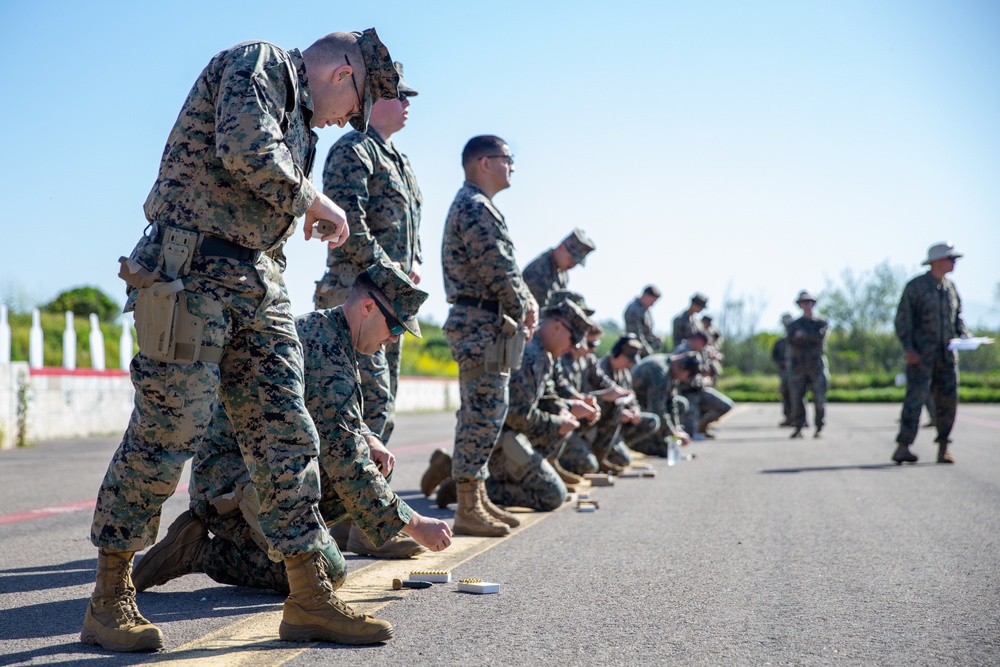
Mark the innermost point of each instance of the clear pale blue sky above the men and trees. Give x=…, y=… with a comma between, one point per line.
x=750, y=148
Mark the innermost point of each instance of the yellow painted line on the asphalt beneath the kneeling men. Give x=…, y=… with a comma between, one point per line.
x=254, y=640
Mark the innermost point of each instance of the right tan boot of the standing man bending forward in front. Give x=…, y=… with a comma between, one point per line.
x=313, y=612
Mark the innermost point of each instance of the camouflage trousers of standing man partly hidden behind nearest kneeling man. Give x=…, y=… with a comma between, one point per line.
x=379, y=372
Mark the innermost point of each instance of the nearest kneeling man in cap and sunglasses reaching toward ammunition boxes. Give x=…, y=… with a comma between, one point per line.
x=352, y=486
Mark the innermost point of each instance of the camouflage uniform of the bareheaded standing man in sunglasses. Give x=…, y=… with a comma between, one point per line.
x=477, y=257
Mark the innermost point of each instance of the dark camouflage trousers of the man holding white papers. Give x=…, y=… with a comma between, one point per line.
x=939, y=381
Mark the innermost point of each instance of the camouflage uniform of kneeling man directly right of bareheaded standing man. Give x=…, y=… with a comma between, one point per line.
x=533, y=413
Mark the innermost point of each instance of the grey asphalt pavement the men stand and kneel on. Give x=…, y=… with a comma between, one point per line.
x=759, y=551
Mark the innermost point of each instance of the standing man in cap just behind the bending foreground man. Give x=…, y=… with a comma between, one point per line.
x=373, y=181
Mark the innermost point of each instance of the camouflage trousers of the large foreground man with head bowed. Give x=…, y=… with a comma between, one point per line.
x=260, y=383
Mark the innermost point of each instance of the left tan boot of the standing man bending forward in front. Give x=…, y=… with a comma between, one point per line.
x=113, y=620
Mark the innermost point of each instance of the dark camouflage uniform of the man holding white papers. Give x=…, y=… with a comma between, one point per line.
x=928, y=316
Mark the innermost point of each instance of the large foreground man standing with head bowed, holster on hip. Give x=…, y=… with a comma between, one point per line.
x=233, y=177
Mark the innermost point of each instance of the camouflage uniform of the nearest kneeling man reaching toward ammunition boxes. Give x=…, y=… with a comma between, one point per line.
x=351, y=485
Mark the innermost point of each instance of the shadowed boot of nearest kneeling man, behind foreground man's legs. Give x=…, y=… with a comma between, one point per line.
x=180, y=552
